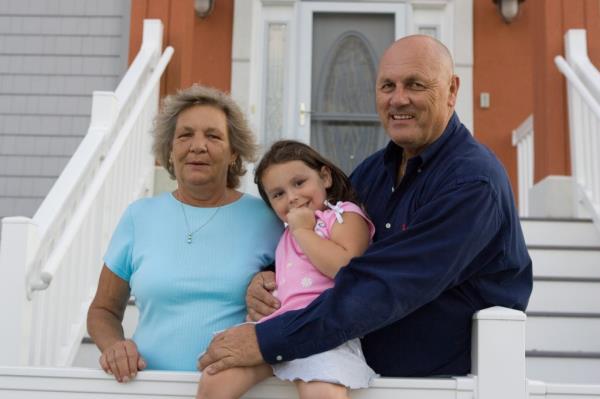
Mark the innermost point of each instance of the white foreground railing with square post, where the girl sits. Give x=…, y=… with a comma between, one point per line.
x=498, y=364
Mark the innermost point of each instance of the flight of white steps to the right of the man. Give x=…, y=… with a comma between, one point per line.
x=563, y=317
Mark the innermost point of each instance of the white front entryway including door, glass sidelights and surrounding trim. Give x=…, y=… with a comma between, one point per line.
x=305, y=69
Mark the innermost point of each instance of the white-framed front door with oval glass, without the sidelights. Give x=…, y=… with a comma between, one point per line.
x=339, y=48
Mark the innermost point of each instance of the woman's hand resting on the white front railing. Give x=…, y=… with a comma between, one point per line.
x=122, y=360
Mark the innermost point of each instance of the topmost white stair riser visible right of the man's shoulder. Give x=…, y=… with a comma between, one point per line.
x=561, y=232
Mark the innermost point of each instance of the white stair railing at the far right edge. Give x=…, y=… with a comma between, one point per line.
x=583, y=91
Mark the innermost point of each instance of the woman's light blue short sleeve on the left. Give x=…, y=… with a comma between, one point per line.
x=118, y=255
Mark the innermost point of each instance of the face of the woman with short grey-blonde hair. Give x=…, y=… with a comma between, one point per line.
x=201, y=153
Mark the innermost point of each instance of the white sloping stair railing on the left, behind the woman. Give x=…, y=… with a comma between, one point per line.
x=49, y=264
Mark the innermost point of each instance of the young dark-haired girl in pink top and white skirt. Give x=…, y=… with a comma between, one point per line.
x=325, y=229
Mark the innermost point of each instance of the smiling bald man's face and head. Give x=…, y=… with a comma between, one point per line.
x=415, y=93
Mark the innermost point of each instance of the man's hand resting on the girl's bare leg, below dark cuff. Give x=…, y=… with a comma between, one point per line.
x=236, y=347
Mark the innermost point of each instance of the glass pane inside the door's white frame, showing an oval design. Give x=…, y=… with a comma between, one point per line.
x=346, y=49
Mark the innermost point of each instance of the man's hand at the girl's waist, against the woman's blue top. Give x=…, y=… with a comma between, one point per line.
x=259, y=296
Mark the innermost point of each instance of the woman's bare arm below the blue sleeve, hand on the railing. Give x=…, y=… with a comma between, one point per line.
x=104, y=322
